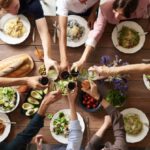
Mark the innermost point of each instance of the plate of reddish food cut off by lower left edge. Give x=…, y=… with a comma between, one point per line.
x=5, y=126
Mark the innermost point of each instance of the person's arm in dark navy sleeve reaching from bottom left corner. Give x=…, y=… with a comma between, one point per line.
x=37, y=122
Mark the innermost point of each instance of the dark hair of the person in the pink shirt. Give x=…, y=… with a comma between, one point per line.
x=128, y=6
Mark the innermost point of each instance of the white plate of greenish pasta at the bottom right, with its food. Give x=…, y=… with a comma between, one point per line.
x=136, y=125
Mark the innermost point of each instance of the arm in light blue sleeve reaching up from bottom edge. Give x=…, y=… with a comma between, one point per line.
x=75, y=135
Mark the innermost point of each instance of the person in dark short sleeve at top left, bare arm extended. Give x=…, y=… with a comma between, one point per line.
x=33, y=7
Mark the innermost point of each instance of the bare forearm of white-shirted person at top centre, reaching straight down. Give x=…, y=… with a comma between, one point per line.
x=63, y=41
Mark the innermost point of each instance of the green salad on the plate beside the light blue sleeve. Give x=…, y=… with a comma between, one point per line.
x=61, y=125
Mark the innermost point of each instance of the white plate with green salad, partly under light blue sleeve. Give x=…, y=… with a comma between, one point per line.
x=59, y=125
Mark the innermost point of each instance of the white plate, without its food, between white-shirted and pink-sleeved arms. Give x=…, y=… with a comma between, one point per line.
x=83, y=23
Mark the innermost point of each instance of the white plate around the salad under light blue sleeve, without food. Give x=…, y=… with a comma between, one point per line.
x=61, y=138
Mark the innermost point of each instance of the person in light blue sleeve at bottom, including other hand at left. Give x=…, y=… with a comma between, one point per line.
x=75, y=134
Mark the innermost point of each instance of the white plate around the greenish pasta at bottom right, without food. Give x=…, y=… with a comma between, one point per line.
x=144, y=119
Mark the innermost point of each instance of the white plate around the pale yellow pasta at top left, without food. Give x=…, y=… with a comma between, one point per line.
x=11, y=40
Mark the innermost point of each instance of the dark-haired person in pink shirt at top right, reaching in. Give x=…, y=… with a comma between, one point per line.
x=112, y=11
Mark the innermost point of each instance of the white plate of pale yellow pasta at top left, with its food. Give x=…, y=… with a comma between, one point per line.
x=14, y=29
